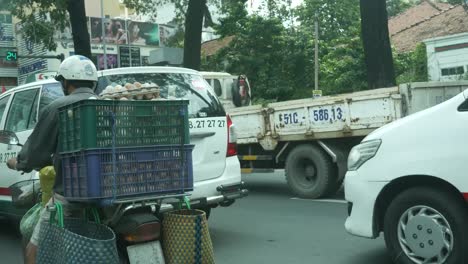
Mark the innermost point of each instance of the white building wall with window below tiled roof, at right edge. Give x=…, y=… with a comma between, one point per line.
x=447, y=57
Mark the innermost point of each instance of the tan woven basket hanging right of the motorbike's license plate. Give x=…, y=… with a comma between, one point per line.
x=186, y=238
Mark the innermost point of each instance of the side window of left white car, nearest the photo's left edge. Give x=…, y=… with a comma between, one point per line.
x=22, y=115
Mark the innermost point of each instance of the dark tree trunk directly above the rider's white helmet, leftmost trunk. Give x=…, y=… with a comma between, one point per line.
x=81, y=40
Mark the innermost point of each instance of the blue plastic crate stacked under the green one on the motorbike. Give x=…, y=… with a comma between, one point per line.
x=88, y=175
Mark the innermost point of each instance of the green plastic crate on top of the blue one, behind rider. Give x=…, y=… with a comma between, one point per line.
x=88, y=124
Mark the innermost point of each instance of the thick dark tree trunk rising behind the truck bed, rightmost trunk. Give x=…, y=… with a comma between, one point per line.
x=376, y=43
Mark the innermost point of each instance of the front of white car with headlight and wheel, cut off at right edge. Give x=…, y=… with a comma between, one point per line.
x=409, y=180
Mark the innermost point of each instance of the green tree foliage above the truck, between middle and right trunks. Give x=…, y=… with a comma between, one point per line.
x=278, y=55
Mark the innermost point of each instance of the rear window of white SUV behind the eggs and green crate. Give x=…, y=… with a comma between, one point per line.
x=203, y=103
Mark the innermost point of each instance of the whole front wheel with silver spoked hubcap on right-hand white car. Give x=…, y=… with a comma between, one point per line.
x=425, y=225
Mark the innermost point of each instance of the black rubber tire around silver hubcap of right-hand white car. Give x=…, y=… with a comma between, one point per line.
x=449, y=206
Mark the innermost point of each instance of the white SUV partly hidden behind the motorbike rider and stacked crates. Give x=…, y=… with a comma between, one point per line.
x=217, y=177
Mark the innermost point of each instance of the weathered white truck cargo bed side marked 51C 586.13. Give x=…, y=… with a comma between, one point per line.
x=344, y=115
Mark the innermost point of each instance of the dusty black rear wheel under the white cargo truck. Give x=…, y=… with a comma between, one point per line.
x=309, y=172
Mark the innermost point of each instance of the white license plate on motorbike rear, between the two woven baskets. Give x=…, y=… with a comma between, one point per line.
x=147, y=253
